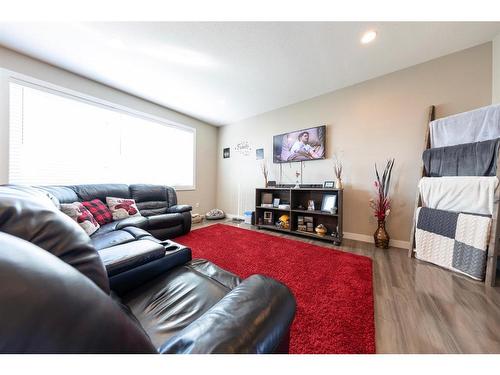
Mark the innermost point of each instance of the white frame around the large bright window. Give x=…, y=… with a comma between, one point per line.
x=92, y=100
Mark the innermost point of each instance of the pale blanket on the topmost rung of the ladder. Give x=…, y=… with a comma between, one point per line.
x=473, y=126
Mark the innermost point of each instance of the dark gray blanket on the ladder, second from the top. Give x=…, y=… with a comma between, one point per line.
x=469, y=159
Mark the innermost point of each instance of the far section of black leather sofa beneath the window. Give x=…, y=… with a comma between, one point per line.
x=161, y=216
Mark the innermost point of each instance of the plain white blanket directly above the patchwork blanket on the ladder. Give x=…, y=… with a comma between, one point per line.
x=460, y=194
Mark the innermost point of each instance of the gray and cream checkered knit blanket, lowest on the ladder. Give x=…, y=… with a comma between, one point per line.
x=453, y=240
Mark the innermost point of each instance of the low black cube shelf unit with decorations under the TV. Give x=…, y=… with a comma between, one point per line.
x=295, y=203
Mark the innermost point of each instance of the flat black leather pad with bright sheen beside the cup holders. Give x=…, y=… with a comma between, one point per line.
x=121, y=258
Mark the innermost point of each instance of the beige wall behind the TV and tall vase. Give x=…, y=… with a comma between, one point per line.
x=367, y=123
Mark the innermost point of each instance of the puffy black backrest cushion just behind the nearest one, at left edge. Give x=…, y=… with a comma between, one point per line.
x=28, y=214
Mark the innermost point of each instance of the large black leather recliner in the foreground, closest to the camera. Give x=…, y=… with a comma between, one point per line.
x=55, y=295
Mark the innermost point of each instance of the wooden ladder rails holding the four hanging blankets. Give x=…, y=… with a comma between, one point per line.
x=494, y=241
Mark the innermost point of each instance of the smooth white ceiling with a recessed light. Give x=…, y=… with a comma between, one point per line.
x=223, y=72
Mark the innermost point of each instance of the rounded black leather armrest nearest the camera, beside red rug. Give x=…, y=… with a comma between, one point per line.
x=255, y=317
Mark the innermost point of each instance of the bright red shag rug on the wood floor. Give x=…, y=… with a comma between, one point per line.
x=333, y=289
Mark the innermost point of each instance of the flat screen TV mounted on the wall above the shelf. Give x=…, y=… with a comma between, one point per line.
x=300, y=145
